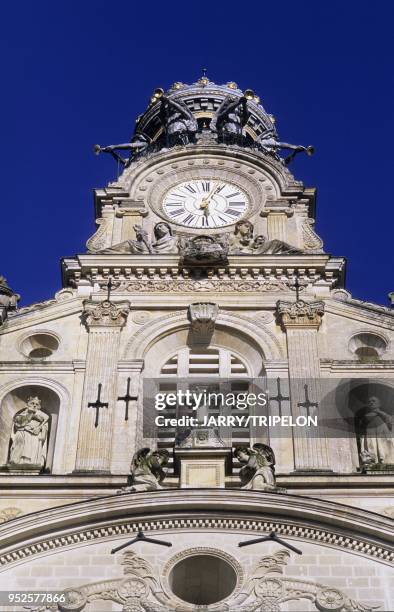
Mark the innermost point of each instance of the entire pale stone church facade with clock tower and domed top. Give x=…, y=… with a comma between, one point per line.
x=202, y=416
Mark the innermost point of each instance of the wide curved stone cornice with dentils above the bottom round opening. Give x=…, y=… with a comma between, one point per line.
x=320, y=521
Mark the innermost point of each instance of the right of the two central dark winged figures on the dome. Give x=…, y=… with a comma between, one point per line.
x=230, y=118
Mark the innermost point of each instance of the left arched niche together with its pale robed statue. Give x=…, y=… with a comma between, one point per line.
x=28, y=428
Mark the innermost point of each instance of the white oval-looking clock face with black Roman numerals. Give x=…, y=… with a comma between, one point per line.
x=205, y=203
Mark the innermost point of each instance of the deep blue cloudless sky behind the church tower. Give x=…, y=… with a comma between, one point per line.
x=78, y=73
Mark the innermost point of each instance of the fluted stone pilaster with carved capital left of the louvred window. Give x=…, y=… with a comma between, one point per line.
x=104, y=322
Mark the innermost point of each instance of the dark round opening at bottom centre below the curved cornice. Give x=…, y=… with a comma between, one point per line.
x=202, y=579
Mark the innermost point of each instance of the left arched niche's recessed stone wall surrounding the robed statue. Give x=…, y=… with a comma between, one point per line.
x=13, y=403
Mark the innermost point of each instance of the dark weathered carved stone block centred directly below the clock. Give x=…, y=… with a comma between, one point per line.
x=200, y=250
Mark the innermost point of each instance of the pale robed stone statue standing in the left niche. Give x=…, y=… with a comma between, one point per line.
x=29, y=437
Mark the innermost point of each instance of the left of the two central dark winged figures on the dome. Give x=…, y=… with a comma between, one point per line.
x=178, y=121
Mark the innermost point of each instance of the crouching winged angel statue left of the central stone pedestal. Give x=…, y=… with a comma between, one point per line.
x=147, y=471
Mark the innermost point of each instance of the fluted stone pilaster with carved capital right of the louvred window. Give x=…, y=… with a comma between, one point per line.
x=301, y=321
